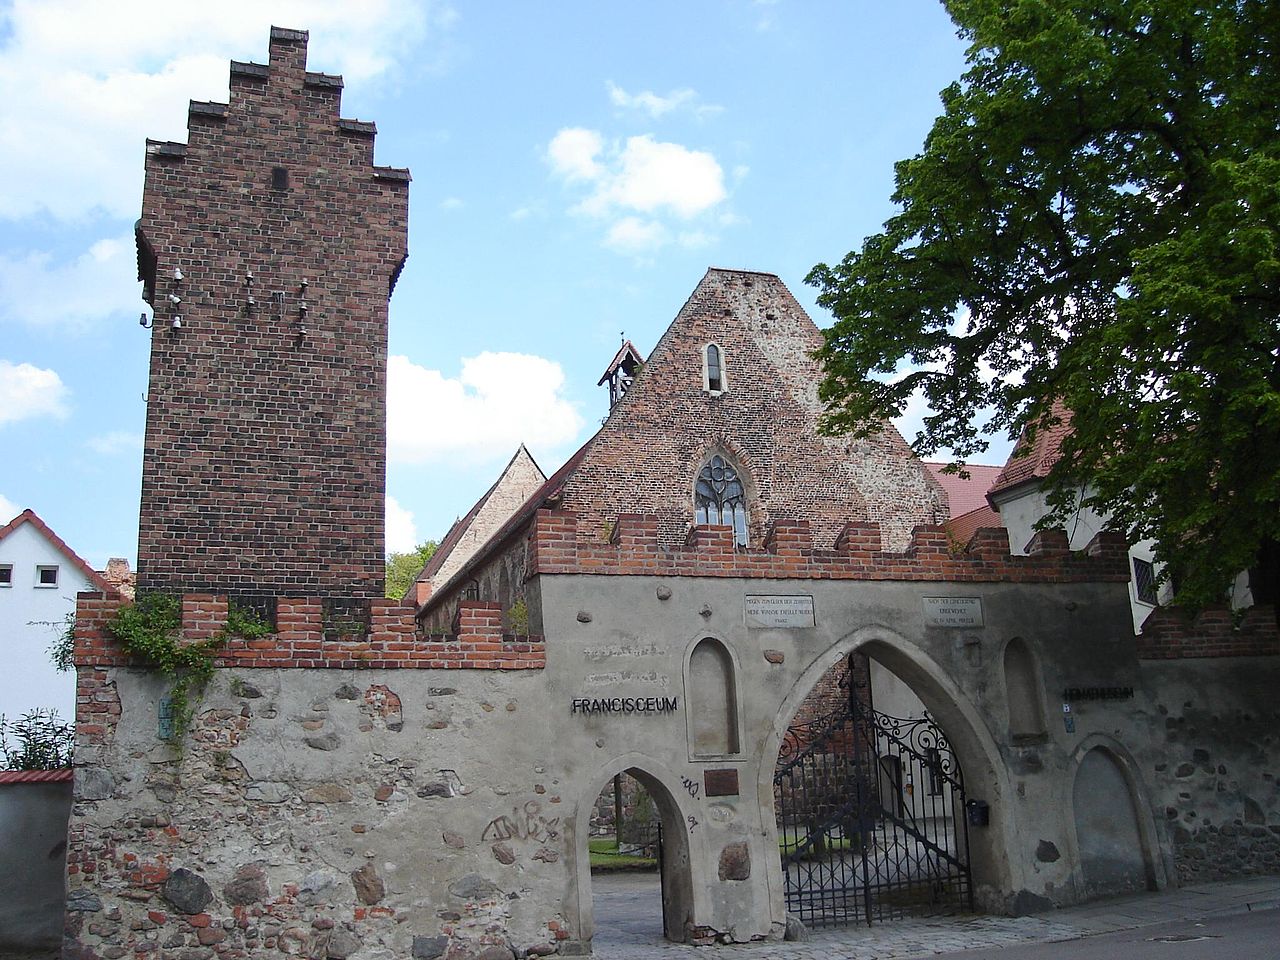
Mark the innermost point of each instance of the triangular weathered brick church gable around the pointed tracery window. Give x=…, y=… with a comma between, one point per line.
x=647, y=456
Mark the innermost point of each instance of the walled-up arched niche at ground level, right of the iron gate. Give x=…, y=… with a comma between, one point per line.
x=1109, y=834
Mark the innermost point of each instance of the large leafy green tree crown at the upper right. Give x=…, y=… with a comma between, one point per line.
x=1095, y=218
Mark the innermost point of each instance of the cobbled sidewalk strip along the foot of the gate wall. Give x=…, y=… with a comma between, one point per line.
x=629, y=925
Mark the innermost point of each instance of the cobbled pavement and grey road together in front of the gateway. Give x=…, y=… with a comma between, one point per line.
x=629, y=927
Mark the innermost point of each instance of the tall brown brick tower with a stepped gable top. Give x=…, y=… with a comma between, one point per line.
x=269, y=246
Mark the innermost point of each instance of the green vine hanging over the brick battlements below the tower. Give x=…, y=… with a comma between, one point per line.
x=152, y=632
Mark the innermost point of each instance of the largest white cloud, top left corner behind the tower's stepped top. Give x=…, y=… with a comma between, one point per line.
x=85, y=83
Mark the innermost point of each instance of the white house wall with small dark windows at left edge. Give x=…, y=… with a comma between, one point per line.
x=31, y=619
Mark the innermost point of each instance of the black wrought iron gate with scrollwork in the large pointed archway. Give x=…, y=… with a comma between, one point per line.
x=871, y=820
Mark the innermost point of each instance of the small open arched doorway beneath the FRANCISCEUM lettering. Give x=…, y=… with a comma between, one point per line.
x=674, y=904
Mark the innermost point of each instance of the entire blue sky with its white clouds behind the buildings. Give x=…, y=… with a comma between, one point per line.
x=577, y=168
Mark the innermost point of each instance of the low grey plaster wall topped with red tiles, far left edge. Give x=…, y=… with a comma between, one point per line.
x=34, y=840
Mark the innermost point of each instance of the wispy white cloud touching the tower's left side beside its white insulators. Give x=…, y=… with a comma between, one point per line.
x=39, y=292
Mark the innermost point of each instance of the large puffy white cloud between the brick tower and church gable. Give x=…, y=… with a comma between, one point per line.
x=496, y=404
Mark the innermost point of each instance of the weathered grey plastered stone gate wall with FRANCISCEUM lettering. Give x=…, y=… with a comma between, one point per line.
x=401, y=811
